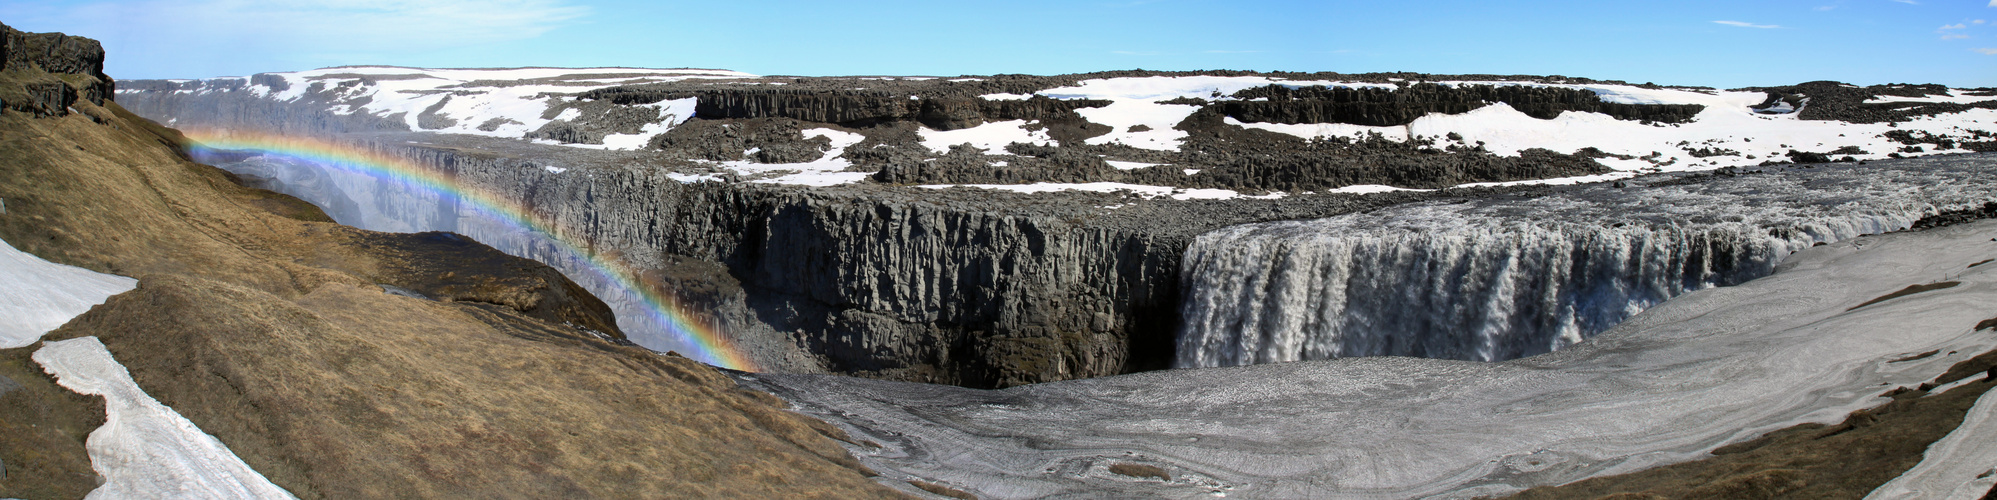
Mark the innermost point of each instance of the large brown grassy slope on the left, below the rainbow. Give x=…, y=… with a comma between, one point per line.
x=269, y=333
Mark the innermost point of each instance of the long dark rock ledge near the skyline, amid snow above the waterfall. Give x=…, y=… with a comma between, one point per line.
x=1379, y=107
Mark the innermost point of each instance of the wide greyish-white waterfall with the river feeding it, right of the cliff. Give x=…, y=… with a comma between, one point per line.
x=1511, y=279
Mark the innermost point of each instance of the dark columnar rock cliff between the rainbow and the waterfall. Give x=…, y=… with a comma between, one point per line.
x=940, y=287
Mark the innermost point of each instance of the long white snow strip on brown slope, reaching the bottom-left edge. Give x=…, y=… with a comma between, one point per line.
x=145, y=449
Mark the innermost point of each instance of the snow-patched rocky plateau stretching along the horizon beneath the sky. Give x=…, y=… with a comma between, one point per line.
x=1127, y=121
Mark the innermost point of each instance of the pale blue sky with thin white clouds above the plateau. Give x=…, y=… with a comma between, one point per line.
x=1668, y=43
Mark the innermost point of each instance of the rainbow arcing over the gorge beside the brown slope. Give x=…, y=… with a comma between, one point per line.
x=706, y=343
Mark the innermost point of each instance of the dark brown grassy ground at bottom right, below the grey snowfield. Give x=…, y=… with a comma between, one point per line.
x=1810, y=461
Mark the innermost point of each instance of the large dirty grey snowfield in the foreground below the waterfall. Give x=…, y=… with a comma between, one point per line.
x=1704, y=371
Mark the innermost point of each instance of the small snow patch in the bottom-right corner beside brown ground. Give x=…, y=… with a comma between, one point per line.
x=1962, y=465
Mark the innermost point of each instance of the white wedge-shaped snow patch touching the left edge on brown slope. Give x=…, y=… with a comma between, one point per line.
x=39, y=295
